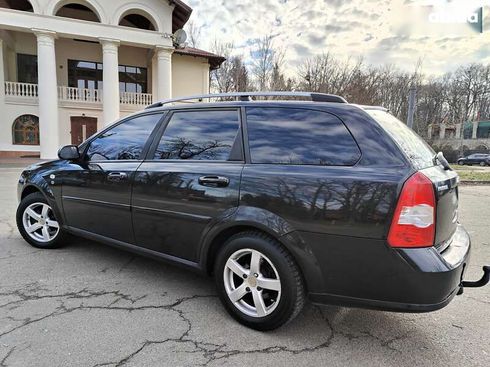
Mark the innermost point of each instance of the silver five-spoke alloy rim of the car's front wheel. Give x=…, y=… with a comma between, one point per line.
x=39, y=222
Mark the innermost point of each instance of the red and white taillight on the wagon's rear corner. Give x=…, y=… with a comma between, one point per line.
x=413, y=224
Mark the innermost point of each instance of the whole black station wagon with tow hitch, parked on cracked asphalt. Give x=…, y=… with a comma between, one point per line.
x=280, y=200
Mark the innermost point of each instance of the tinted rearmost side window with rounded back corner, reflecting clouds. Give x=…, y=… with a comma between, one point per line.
x=299, y=136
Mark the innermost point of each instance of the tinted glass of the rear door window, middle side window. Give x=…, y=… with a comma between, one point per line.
x=199, y=135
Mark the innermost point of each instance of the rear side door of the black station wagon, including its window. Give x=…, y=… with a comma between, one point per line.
x=189, y=180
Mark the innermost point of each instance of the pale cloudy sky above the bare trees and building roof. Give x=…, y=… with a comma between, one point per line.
x=398, y=32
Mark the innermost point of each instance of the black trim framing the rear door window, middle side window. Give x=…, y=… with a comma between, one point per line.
x=158, y=136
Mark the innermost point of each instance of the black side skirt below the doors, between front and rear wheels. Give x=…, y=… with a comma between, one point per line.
x=155, y=255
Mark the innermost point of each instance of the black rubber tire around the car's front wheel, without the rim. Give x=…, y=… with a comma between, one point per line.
x=57, y=241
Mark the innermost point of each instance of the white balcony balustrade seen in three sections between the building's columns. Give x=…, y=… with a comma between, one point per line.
x=28, y=91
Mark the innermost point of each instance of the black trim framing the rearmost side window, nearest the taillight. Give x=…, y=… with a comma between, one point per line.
x=247, y=143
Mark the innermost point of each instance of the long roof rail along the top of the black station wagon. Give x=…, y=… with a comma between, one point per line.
x=247, y=96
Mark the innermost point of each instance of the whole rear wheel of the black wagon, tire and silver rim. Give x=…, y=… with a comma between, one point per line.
x=258, y=281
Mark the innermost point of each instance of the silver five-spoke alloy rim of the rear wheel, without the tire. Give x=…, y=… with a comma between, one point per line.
x=252, y=283
